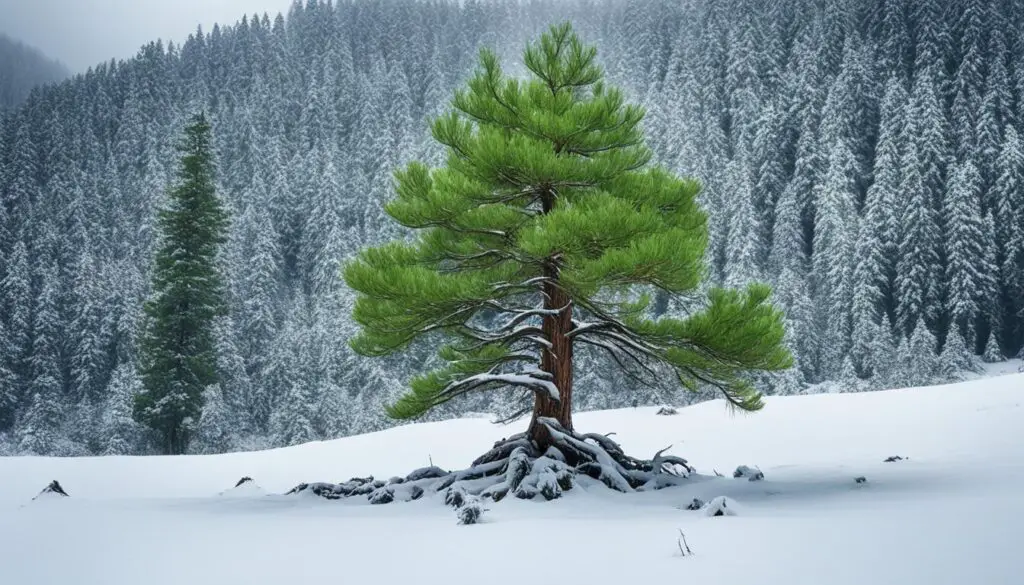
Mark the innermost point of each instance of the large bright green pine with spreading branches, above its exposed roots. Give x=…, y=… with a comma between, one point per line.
x=547, y=229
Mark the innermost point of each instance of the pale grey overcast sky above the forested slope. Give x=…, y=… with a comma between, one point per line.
x=81, y=33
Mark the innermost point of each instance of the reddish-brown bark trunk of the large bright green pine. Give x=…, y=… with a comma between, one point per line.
x=558, y=360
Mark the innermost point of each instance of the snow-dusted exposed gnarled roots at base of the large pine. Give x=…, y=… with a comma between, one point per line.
x=517, y=467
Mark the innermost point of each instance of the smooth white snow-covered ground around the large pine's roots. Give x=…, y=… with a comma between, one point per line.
x=952, y=514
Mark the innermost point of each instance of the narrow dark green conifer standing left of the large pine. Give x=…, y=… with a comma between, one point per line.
x=178, y=350
